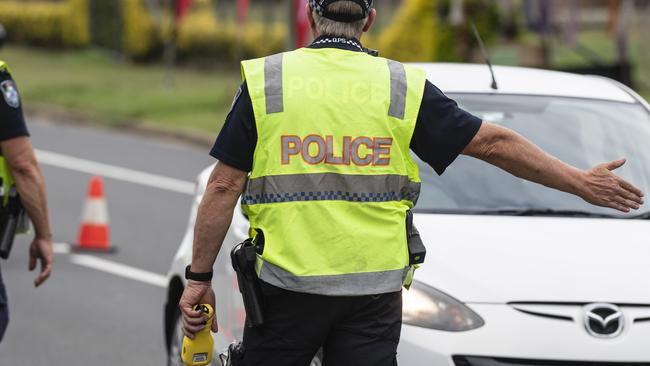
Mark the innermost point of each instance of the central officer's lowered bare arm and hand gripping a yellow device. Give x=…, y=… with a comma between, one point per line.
x=212, y=222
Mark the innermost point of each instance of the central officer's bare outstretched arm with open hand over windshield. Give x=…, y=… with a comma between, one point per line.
x=515, y=154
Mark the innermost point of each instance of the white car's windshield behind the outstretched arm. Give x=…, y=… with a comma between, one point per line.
x=581, y=132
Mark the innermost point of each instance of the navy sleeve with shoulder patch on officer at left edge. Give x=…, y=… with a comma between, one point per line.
x=12, y=122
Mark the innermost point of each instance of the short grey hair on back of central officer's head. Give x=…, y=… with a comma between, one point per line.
x=331, y=28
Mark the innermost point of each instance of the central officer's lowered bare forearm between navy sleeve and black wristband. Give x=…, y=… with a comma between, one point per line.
x=215, y=215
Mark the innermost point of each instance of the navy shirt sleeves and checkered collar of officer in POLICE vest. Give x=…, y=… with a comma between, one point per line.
x=442, y=130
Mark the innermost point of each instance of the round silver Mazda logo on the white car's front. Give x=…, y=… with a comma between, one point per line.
x=603, y=320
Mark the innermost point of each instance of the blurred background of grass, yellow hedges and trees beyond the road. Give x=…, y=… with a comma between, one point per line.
x=128, y=62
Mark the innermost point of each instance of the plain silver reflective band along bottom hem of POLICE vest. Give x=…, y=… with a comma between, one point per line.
x=353, y=284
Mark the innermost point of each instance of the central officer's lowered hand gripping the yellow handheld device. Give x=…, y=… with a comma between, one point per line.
x=196, y=293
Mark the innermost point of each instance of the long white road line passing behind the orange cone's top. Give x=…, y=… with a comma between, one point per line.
x=114, y=172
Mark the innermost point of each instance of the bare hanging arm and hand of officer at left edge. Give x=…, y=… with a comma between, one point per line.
x=30, y=184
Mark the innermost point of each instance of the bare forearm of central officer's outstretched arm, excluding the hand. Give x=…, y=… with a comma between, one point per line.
x=515, y=154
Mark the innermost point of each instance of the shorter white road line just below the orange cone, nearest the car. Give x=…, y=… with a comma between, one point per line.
x=119, y=269
